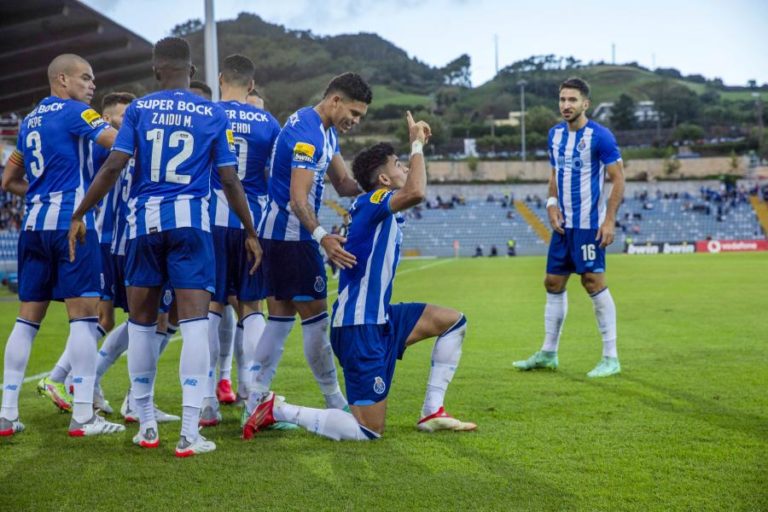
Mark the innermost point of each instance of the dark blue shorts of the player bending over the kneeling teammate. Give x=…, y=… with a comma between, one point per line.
x=293, y=270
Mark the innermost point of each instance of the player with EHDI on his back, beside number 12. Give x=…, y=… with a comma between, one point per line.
x=255, y=131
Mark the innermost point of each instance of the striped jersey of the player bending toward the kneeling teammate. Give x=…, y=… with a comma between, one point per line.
x=302, y=143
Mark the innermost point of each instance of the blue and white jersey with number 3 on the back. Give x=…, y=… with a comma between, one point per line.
x=54, y=141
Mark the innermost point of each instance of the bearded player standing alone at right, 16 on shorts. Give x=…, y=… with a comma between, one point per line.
x=581, y=153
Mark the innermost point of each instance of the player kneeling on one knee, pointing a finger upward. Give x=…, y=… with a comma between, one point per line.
x=367, y=332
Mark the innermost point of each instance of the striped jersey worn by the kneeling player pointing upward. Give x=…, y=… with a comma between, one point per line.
x=374, y=238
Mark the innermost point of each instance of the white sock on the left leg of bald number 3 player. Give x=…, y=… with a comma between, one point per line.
x=17, y=351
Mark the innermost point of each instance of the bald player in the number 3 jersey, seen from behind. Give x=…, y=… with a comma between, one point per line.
x=50, y=152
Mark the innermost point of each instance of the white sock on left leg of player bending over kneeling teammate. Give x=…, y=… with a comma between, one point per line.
x=266, y=357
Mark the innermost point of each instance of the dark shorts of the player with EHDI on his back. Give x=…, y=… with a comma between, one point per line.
x=232, y=267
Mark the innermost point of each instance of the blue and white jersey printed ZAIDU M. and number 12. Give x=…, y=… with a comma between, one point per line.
x=177, y=137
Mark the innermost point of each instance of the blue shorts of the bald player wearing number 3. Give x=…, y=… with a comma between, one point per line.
x=45, y=272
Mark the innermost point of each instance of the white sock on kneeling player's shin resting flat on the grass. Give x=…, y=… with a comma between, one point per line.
x=331, y=423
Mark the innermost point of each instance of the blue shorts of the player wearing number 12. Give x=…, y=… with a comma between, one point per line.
x=180, y=257
